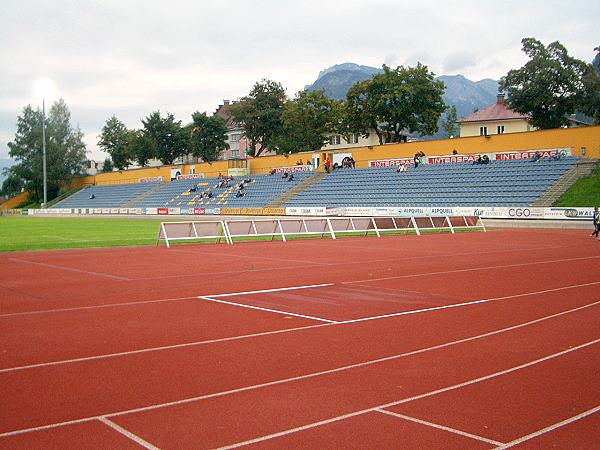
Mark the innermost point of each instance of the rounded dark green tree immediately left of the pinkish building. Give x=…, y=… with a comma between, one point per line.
x=208, y=136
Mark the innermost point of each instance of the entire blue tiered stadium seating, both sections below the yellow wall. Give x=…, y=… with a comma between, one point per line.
x=500, y=183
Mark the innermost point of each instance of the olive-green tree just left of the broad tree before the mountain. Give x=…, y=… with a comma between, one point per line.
x=307, y=119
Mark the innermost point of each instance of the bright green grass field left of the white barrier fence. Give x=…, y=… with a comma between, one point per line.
x=28, y=233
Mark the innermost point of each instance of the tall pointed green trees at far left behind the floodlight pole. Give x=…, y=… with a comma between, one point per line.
x=65, y=150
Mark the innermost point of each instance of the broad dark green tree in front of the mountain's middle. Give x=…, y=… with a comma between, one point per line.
x=405, y=98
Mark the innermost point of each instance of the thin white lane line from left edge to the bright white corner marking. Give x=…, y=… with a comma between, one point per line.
x=157, y=349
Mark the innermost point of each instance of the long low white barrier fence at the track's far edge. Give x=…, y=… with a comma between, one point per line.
x=227, y=230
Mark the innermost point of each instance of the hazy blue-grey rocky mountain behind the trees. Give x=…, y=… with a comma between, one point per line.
x=461, y=92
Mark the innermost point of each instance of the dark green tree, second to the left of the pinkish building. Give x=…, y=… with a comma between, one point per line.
x=170, y=141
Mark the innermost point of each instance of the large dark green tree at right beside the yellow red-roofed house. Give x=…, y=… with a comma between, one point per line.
x=550, y=86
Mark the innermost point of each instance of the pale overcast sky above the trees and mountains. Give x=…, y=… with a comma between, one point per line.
x=129, y=58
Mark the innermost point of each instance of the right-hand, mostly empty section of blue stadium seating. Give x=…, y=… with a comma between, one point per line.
x=500, y=183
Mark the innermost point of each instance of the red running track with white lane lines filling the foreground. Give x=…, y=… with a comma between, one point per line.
x=476, y=340
